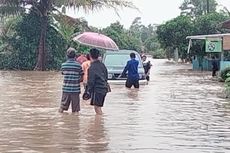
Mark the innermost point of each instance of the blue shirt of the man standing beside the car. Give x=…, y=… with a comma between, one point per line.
x=132, y=68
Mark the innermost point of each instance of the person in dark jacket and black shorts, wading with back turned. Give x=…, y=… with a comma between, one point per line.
x=97, y=81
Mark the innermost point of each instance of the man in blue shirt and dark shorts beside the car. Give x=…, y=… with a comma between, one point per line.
x=132, y=68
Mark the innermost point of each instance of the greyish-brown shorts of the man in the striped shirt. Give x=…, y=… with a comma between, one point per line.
x=72, y=98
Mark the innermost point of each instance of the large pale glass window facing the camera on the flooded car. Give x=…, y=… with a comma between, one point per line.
x=118, y=60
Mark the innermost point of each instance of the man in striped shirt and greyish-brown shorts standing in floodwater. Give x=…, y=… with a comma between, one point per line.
x=72, y=72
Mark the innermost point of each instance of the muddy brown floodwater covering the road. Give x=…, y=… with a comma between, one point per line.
x=180, y=111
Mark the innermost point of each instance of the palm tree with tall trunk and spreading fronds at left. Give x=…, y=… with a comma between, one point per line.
x=46, y=7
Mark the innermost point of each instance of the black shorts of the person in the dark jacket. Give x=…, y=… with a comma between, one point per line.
x=97, y=99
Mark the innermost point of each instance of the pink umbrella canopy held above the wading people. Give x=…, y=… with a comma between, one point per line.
x=96, y=40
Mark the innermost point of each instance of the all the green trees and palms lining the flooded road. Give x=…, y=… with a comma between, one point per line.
x=36, y=38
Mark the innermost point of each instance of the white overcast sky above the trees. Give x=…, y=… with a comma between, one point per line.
x=151, y=12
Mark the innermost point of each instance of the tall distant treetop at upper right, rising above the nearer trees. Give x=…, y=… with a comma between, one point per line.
x=195, y=8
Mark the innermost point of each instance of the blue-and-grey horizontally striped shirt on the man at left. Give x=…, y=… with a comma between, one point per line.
x=72, y=72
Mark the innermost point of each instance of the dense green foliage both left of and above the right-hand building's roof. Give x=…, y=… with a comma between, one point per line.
x=173, y=33
